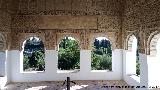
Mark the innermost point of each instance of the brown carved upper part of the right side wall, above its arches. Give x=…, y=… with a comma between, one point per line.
x=141, y=17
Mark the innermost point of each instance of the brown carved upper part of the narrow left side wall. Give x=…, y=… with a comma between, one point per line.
x=5, y=23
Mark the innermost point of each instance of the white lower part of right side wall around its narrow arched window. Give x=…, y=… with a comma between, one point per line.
x=134, y=80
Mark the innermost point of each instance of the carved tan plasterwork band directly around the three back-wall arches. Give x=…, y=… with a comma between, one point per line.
x=52, y=37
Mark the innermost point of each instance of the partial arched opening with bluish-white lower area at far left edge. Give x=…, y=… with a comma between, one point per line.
x=2, y=56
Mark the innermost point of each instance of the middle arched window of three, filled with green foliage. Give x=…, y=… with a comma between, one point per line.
x=68, y=54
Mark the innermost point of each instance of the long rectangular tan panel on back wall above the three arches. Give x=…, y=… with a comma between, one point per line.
x=54, y=22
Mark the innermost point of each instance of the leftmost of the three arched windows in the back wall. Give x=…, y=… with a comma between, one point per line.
x=33, y=54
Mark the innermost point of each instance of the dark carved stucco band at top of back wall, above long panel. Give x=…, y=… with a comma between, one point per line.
x=69, y=7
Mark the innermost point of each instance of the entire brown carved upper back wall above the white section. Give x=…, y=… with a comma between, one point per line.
x=52, y=19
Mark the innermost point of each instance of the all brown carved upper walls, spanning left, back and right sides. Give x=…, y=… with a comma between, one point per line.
x=51, y=19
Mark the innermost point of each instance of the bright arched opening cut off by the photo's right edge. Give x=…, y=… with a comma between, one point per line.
x=154, y=60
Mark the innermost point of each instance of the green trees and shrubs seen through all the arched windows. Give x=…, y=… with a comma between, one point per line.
x=69, y=55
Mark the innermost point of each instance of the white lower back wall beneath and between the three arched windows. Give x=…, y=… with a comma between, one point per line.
x=50, y=74
